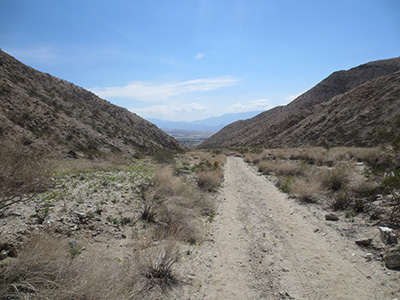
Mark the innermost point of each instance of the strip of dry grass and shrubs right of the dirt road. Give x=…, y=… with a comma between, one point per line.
x=348, y=179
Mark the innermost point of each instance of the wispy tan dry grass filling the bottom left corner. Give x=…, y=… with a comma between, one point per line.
x=45, y=269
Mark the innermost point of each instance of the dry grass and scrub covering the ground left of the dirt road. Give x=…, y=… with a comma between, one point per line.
x=165, y=204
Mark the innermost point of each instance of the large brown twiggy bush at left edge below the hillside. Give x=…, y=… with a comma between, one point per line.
x=24, y=171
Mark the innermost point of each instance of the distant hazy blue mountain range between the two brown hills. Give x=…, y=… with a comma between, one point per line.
x=209, y=124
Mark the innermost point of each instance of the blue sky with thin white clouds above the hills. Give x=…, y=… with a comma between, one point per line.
x=192, y=59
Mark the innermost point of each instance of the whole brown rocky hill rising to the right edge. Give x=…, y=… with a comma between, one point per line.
x=346, y=108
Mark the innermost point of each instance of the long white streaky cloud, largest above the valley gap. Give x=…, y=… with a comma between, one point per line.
x=149, y=92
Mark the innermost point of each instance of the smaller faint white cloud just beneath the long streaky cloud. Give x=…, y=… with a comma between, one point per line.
x=169, y=112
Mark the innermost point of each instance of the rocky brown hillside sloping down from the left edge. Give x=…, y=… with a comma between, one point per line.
x=40, y=108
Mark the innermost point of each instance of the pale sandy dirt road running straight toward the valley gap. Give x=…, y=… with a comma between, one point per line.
x=263, y=245
